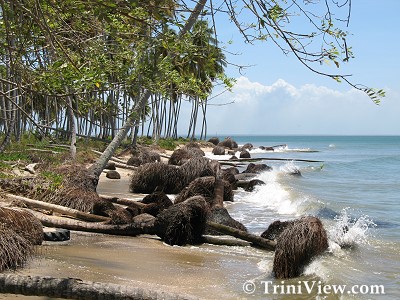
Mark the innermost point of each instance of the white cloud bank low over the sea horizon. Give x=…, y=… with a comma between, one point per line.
x=281, y=108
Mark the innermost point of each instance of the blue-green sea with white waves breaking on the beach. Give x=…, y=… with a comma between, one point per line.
x=352, y=183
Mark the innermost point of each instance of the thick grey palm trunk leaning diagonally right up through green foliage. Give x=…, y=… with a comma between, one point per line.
x=133, y=120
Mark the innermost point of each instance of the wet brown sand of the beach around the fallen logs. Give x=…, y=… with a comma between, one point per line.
x=206, y=271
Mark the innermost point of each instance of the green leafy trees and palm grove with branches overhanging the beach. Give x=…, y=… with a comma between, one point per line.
x=91, y=67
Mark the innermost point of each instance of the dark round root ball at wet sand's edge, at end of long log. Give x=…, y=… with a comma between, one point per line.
x=183, y=223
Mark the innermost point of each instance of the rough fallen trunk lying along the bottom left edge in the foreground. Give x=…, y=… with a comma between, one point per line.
x=73, y=288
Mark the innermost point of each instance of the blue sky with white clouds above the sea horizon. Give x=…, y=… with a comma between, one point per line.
x=279, y=96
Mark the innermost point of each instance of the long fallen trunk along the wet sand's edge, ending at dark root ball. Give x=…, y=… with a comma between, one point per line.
x=142, y=225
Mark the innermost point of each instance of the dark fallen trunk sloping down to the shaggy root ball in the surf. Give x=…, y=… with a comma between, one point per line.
x=254, y=239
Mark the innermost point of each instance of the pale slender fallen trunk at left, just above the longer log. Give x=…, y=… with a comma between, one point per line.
x=59, y=209
